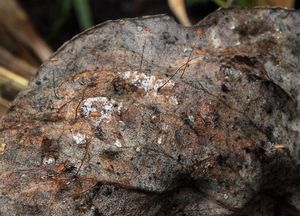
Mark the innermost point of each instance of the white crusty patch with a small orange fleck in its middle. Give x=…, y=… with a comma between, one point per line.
x=101, y=108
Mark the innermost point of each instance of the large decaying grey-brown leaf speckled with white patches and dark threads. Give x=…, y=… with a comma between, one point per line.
x=97, y=134
